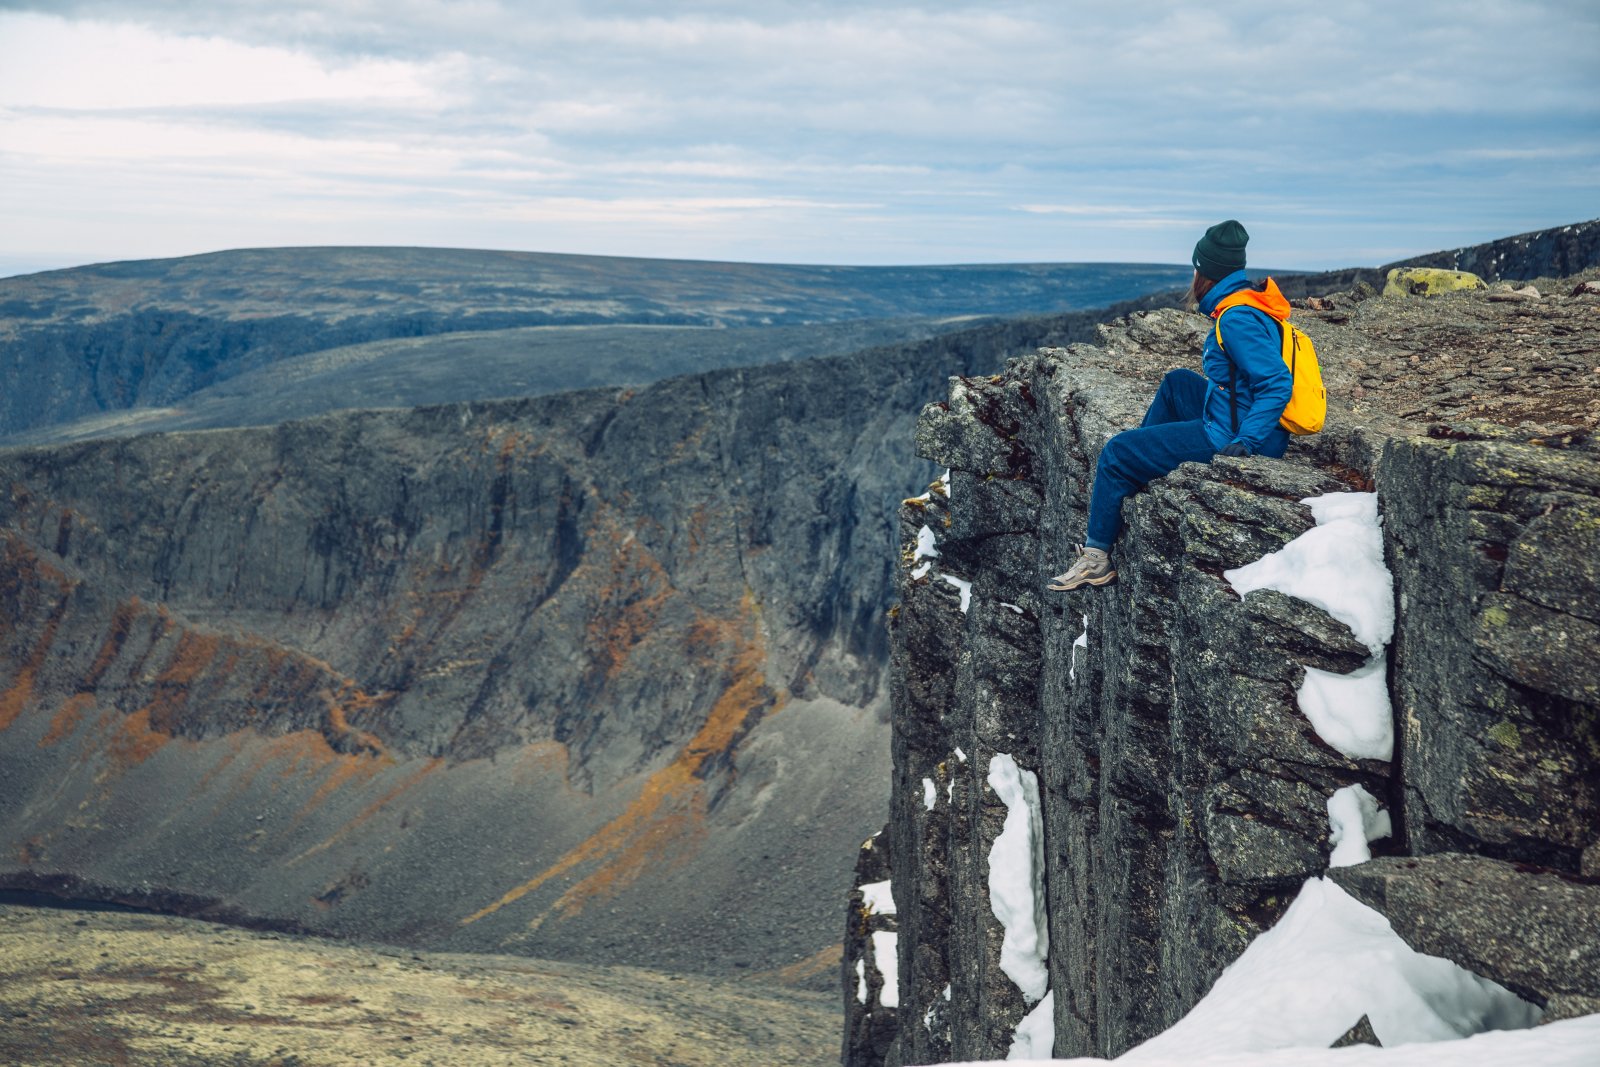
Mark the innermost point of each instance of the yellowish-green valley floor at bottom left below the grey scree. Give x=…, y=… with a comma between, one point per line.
x=111, y=988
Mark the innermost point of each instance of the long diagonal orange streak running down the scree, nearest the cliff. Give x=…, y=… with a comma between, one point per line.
x=668, y=817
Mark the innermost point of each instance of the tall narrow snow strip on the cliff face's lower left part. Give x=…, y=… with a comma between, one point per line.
x=1017, y=892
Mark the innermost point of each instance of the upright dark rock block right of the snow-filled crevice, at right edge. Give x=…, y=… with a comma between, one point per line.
x=1497, y=556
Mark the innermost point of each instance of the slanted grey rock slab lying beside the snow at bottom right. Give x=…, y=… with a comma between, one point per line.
x=1532, y=930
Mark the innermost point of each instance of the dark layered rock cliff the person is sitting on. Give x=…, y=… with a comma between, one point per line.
x=1183, y=793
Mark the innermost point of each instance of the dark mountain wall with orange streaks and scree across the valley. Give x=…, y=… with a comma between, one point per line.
x=582, y=676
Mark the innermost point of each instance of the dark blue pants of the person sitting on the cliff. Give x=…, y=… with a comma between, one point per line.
x=1172, y=434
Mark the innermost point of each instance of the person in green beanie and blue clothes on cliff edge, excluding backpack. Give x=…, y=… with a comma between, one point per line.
x=1233, y=410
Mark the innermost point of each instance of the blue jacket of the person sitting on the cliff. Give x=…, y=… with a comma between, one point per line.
x=1255, y=346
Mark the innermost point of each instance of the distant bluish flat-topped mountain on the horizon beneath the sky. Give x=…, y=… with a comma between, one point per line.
x=140, y=335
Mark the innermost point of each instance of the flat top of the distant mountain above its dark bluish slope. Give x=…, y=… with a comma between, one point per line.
x=338, y=284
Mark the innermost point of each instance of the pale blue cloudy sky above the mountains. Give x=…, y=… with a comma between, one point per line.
x=812, y=132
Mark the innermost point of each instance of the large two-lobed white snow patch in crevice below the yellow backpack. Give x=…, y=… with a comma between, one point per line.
x=1338, y=565
